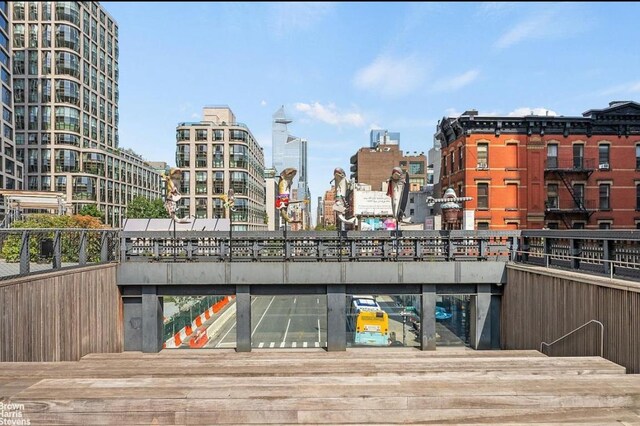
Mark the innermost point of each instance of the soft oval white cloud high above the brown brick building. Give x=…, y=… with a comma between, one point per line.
x=391, y=76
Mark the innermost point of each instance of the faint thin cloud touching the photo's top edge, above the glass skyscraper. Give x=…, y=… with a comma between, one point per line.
x=293, y=16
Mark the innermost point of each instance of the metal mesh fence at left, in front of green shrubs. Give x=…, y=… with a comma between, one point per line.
x=30, y=251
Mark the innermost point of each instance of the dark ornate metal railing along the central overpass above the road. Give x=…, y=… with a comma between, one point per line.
x=305, y=246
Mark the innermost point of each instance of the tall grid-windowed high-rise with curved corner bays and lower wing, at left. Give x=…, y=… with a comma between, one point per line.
x=65, y=94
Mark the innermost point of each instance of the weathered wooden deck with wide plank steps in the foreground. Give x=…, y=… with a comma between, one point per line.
x=359, y=386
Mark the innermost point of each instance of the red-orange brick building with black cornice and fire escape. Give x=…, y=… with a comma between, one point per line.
x=546, y=171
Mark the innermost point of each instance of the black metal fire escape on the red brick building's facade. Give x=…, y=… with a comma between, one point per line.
x=577, y=168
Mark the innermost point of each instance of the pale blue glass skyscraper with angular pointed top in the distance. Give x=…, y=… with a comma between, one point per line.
x=291, y=151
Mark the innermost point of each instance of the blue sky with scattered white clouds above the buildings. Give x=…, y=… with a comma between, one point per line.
x=341, y=69
